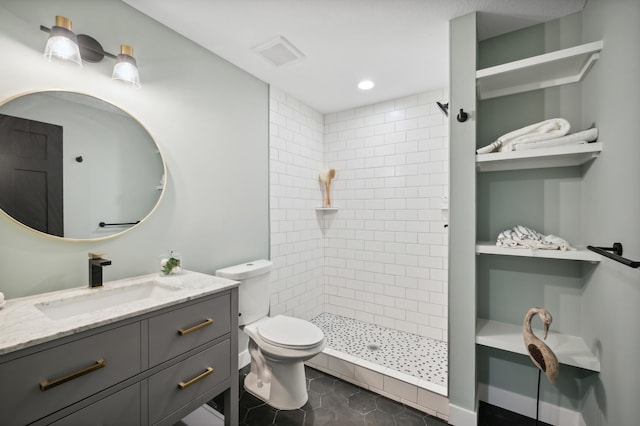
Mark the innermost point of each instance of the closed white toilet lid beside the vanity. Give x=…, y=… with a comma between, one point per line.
x=289, y=332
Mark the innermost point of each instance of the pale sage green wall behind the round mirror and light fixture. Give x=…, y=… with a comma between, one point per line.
x=209, y=118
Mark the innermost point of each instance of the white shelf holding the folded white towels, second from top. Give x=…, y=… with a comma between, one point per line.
x=559, y=156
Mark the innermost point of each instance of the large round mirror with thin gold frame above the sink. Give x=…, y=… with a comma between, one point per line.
x=76, y=167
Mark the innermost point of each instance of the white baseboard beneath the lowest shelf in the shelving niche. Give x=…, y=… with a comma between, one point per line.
x=549, y=413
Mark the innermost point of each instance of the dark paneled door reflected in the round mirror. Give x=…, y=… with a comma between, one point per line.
x=31, y=173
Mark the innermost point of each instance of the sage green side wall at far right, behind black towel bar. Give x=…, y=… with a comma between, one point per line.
x=611, y=205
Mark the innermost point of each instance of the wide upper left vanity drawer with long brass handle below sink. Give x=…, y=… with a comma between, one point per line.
x=59, y=371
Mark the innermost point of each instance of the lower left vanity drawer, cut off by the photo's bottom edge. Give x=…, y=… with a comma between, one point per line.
x=121, y=408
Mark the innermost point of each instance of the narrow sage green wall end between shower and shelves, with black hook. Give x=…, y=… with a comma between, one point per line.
x=462, y=230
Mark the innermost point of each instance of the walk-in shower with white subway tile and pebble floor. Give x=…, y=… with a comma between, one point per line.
x=373, y=274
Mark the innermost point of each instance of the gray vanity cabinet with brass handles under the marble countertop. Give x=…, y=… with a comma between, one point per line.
x=152, y=369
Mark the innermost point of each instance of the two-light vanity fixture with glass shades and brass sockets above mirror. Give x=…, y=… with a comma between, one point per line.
x=64, y=44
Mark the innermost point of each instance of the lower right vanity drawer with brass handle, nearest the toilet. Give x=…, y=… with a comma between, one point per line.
x=178, y=385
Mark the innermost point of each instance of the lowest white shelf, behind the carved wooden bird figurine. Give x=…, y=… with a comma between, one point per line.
x=570, y=350
